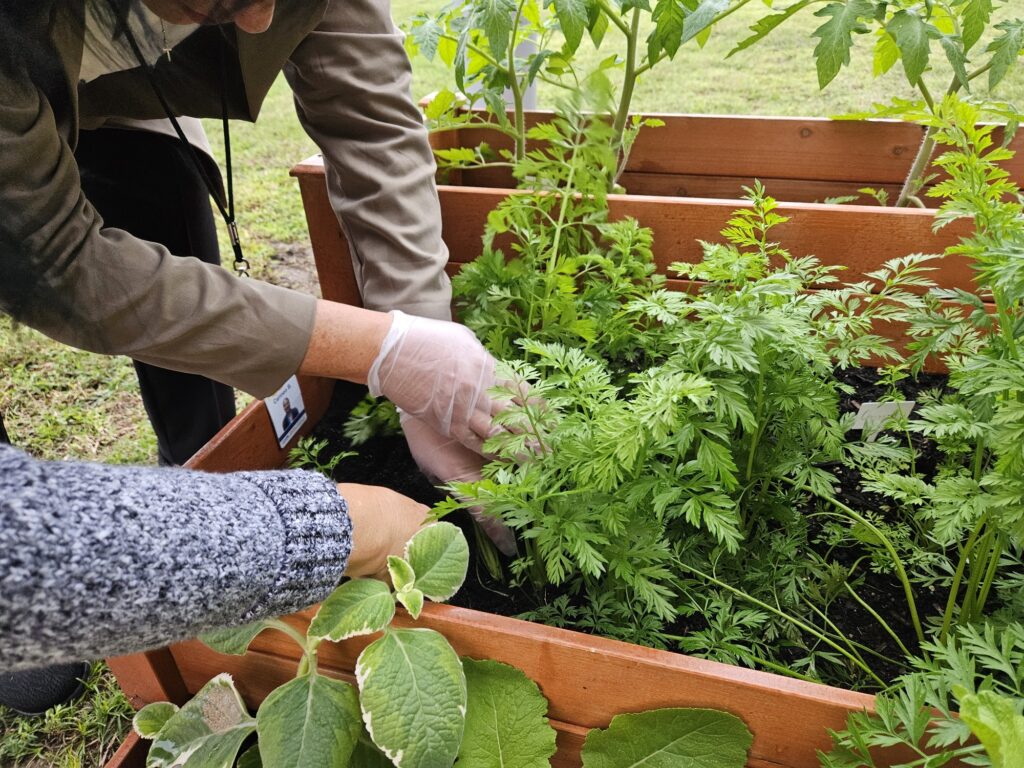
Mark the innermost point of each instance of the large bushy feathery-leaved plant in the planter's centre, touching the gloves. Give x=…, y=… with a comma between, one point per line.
x=727, y=396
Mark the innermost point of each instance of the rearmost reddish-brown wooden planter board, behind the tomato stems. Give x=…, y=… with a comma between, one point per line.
x=799, y=160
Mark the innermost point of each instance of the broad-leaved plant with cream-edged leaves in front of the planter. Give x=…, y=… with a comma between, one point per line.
x=416, y=704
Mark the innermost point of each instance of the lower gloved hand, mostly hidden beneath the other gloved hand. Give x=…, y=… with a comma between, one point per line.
x=446, y=460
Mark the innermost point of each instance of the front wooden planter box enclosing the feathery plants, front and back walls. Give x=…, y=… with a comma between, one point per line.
x=587, y=679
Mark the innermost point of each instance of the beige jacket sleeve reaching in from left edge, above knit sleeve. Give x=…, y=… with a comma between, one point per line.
x=63, y=273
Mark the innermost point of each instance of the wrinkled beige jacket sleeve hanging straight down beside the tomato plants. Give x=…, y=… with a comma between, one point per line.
x=352, y=82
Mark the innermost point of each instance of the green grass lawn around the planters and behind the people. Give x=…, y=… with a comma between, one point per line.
x=62, y=404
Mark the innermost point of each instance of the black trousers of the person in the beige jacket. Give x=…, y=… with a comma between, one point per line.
x=147, y=185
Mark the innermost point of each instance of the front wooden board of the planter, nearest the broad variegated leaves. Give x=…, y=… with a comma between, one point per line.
x=587, y=680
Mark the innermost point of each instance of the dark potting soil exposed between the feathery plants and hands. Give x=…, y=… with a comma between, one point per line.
x=387, y=461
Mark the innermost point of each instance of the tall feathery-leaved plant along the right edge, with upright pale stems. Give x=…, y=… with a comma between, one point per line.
x=968, y=515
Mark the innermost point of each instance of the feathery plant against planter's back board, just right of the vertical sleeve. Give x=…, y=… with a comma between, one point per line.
x=572, y=271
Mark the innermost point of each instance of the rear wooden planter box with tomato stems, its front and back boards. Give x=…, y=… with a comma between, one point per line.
x=686, y=180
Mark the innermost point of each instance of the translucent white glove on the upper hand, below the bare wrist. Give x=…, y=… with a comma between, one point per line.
x=440, y=373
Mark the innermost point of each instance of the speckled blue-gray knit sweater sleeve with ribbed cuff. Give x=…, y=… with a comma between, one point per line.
x=100, y=561
